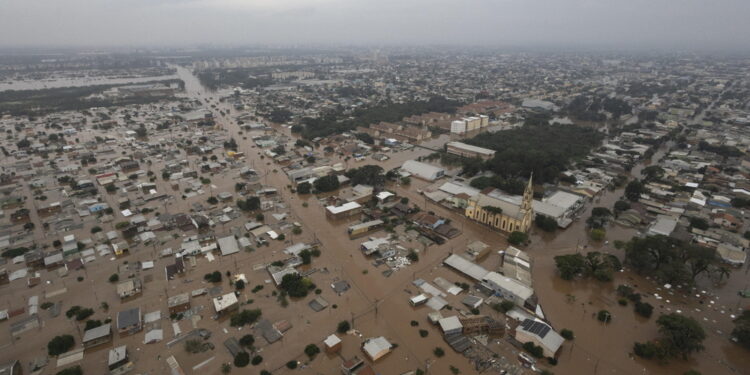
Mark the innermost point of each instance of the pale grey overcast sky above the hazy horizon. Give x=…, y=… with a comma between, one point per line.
x=607, y=23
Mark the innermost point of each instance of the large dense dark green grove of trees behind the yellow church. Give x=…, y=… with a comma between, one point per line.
x=545, y=150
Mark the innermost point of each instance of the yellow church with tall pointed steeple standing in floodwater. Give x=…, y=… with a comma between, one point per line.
x=504, y=215
